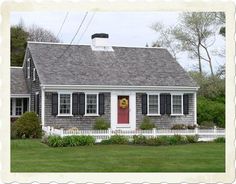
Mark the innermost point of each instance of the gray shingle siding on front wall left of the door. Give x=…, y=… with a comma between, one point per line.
x=81, y=122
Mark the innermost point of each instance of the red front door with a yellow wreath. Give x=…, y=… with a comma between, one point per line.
x=123, y=109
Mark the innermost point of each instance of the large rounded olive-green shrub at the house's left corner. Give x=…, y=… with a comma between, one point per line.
x=28, y=126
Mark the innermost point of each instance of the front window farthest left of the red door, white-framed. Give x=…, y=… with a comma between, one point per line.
x=65, y=104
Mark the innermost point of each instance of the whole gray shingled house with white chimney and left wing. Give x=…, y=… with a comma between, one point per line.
x=71, y=85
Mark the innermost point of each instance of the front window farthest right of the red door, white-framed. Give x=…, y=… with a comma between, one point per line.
x=177, y=104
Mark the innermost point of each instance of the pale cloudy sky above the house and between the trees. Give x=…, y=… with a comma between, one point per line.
x=124, y=29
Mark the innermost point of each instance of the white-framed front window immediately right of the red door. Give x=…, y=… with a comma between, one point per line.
x=153, y=103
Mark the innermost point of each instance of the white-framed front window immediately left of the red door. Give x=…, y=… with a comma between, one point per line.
x=91, y=104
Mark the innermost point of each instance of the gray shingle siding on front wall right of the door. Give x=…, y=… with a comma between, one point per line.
x=165, y=121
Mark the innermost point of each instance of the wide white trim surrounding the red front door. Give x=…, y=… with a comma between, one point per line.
x=132, y=110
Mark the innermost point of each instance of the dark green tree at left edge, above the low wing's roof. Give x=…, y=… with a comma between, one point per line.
x=18, y=44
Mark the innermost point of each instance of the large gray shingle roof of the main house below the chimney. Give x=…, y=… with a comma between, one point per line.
x=126, y=66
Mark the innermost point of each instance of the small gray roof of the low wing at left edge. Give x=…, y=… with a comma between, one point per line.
x=18, y=83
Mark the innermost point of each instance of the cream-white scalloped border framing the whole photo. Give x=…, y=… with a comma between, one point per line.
x=114, y=5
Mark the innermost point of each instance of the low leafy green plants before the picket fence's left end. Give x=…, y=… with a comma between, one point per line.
x=83, y=140
